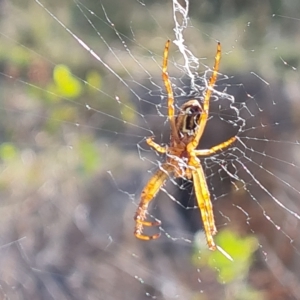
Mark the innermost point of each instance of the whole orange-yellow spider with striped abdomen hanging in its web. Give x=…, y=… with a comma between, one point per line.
x=187, y=128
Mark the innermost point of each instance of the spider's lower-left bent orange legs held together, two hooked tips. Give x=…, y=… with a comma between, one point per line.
x=147, y=195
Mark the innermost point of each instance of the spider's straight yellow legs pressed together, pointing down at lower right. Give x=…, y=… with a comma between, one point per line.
x=204, y=202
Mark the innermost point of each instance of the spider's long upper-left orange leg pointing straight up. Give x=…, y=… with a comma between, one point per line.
x=168, y=86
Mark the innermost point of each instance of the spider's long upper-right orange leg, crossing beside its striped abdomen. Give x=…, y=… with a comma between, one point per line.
x=205, y=108
